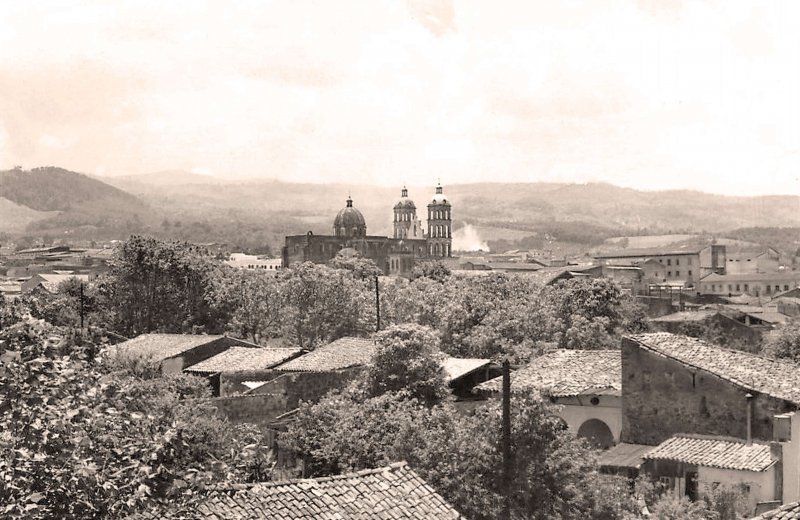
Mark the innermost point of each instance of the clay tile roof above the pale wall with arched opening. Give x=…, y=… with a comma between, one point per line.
x=566, y=373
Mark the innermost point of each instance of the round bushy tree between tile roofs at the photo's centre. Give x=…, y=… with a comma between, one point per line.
x=407, y=358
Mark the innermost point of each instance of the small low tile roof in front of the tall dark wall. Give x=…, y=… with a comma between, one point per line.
x=714, y=453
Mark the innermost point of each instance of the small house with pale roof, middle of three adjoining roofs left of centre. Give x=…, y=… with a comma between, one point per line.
x=229, y=370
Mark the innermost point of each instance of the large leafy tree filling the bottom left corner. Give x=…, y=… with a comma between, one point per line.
x=81, y=440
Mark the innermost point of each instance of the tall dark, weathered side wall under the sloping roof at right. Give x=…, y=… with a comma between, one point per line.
x=661, y=397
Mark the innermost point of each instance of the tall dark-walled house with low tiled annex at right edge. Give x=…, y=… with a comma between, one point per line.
x=713, y=416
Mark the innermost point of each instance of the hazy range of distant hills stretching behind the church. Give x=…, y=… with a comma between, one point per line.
x=203, y=208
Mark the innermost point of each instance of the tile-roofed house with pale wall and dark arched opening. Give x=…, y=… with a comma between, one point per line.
x=585, y=384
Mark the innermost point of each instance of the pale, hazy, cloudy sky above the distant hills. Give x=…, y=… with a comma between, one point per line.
x=648, y=94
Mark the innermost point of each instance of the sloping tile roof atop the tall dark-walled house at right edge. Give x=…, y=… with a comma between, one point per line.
x=780, y=379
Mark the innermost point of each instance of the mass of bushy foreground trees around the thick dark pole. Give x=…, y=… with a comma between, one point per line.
x=460, y=455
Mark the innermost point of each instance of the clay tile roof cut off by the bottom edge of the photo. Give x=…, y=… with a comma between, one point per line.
x=391, y=492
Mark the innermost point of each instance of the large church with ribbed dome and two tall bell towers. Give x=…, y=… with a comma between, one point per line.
x=396, y=255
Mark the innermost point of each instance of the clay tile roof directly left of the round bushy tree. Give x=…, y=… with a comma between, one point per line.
x=342, y=353
